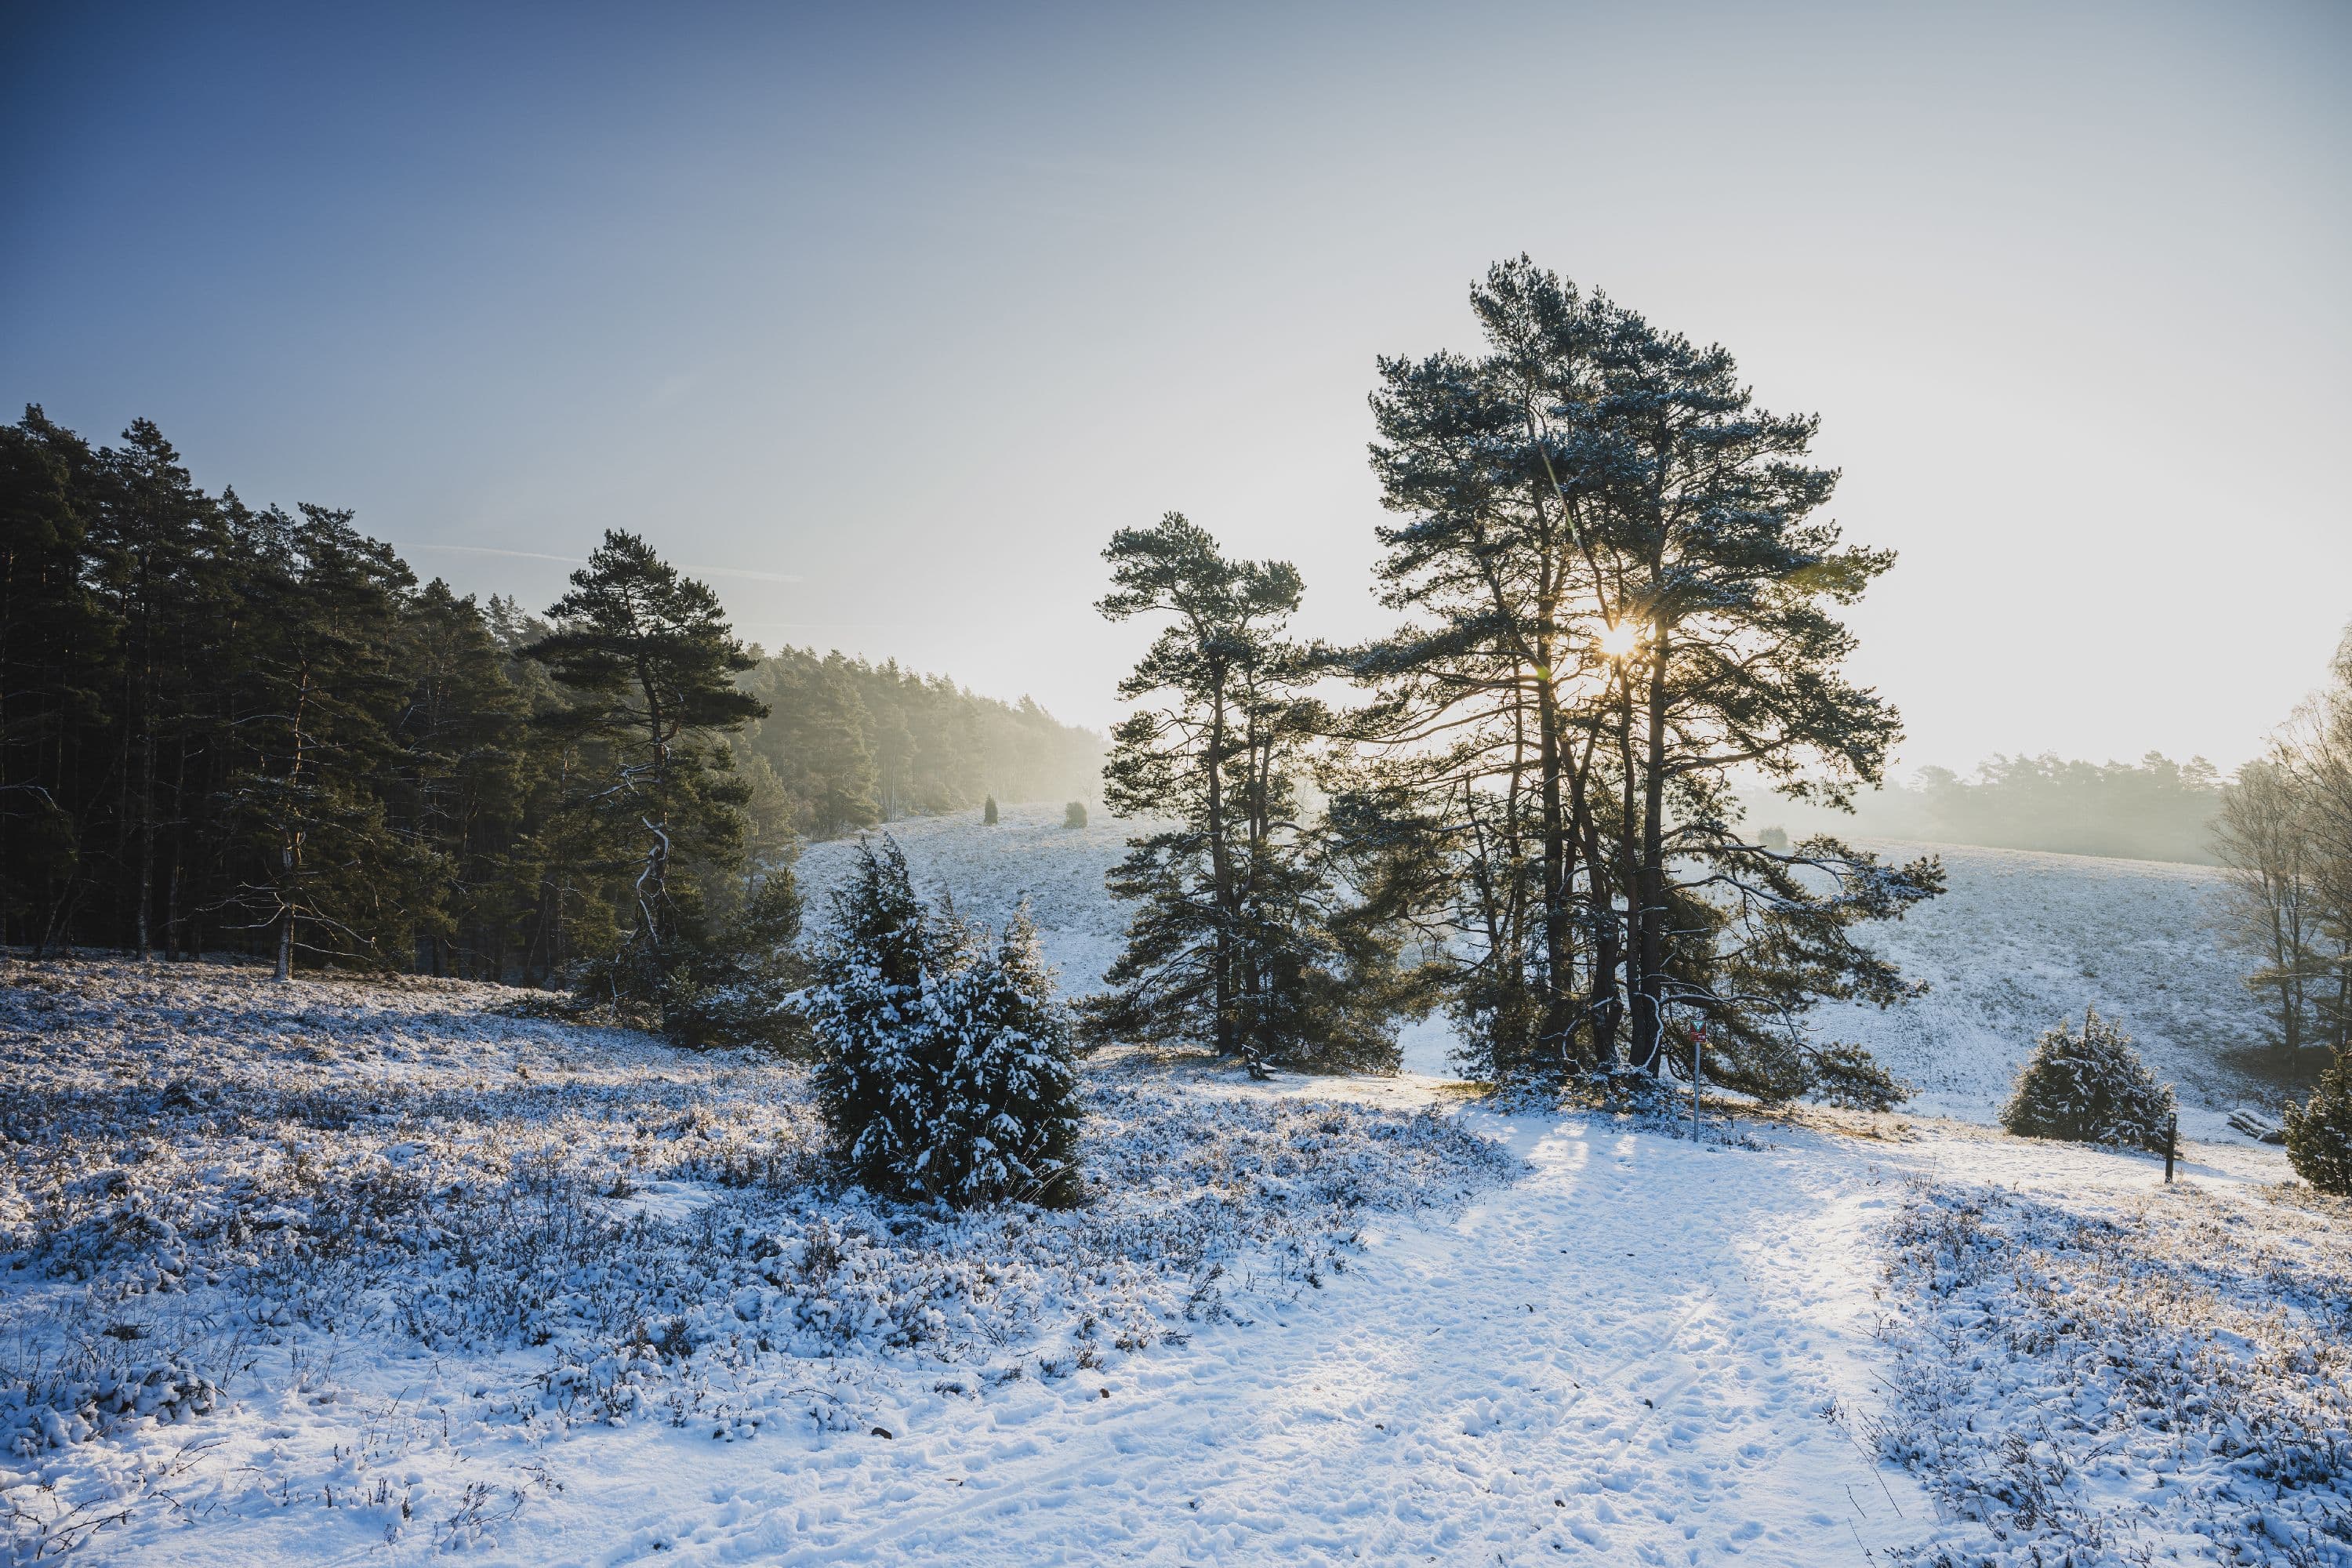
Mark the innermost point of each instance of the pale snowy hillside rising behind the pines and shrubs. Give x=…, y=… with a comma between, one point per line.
x=2019, y=942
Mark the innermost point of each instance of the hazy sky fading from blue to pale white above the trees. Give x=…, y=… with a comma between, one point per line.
x=900, y=311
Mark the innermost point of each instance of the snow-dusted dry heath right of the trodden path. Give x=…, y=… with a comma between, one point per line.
x=2125, y=1379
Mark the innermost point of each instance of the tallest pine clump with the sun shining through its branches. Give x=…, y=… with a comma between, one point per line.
x=1619, y=596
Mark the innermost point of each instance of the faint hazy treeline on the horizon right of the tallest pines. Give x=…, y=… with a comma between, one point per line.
x=2149, y=810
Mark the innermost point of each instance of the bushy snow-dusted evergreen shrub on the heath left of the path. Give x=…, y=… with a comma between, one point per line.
x=947, y=1064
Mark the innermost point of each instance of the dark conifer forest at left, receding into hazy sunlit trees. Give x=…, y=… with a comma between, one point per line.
x=253, y=730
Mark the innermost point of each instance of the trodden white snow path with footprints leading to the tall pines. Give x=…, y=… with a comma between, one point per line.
x=1624, y=1358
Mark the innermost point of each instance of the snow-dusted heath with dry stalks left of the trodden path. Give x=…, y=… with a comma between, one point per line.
x=373, y=1249
